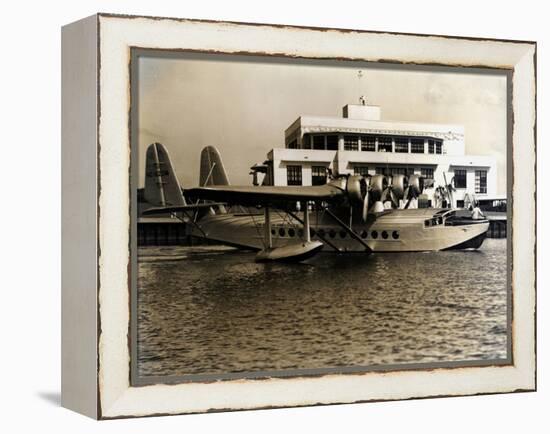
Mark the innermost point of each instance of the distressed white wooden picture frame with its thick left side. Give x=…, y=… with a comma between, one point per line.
x=96, y=378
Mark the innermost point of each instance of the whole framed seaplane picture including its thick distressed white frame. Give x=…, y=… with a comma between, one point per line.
x=260, y=216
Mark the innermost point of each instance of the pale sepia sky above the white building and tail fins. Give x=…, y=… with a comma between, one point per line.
x=243, y=104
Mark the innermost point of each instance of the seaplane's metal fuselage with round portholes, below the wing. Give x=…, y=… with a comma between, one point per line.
x=409, y=230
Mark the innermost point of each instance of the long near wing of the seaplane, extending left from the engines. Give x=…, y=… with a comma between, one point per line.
x=264, y=194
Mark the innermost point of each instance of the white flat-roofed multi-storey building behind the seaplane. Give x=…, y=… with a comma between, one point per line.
x=361, y=143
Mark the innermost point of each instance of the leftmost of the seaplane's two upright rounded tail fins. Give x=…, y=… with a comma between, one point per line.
x=161, y=185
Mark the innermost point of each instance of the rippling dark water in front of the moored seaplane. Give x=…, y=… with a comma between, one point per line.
x=213, y=310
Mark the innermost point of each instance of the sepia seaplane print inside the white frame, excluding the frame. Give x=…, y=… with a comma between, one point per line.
x=296, y=217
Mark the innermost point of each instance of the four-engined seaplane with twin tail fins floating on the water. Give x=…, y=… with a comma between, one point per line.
x=348, y=214
